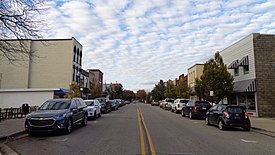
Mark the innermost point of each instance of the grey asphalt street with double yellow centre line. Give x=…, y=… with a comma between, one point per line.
x=145, y=129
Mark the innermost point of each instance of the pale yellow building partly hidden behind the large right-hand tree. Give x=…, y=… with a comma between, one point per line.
x=194, y=72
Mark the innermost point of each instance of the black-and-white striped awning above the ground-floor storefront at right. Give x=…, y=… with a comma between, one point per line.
x=245, y=86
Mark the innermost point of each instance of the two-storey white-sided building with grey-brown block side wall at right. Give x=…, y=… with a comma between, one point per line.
x=251, y=61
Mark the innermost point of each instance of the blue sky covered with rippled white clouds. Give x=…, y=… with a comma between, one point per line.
x=139, y=42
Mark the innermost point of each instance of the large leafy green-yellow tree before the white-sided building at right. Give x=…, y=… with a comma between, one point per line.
x=215, y=78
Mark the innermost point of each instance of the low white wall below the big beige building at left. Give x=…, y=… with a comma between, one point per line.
x=16, y=99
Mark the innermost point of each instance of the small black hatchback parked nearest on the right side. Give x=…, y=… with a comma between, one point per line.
x=225, y=116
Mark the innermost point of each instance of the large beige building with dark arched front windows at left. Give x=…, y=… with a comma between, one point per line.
x=56, y=63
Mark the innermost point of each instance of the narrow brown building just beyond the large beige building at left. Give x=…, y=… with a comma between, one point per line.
x=96, y=80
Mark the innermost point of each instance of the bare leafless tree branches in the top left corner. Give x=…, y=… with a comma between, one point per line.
x=19, y=19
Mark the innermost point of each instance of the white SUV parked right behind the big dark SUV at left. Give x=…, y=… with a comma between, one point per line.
x=93, y=108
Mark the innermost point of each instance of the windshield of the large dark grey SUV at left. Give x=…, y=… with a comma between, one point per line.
x=55, y=105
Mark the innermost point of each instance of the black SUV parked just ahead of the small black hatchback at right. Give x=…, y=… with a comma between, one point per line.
x=196, y=109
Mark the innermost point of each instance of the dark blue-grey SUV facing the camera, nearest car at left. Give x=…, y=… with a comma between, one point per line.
x=57, y=114
